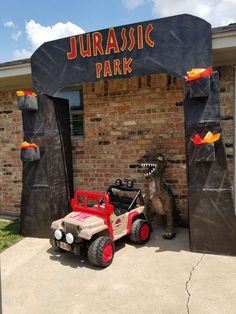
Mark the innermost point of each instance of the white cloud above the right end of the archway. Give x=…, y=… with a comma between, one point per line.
x=216, y=12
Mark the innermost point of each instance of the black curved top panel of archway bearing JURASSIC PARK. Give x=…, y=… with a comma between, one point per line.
x=171, y=45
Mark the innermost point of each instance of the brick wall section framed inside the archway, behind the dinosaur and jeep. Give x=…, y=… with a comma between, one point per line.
x=124, y=119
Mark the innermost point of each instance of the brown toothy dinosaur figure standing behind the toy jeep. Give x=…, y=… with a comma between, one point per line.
x=158, y=199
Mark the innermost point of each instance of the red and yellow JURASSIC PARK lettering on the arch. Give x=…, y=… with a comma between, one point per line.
x=94, y=44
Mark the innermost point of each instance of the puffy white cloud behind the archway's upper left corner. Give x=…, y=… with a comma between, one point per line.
x=37, y=34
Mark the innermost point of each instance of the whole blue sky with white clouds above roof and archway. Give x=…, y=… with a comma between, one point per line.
x=25, y=25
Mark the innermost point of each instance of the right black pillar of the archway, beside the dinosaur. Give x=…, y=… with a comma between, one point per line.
x=211, y=209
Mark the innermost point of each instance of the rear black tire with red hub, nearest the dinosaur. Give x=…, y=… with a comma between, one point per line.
x=140, y=231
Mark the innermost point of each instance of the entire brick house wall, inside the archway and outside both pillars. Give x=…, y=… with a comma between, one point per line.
x=123, y=119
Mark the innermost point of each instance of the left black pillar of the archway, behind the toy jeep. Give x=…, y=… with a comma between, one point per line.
x=48, y=181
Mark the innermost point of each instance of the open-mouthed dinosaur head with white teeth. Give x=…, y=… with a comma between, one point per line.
x=154, y=164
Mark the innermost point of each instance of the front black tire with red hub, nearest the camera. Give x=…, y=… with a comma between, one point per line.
x=101, y=251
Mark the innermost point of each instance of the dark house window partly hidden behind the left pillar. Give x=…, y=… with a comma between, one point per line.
x=75, y=96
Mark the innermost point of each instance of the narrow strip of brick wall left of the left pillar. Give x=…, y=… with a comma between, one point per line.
x=10, y=164
